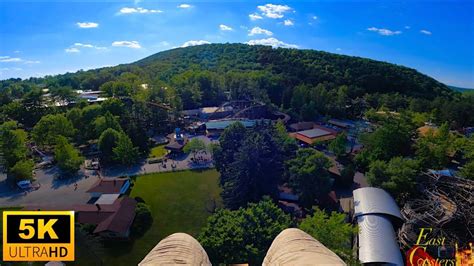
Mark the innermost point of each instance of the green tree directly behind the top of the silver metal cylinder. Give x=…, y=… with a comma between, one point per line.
x=398, y=176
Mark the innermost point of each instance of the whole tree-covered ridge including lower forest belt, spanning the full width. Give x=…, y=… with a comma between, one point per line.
x=305, y=83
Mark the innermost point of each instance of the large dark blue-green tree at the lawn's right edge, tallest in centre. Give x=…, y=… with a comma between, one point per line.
x=251, y=167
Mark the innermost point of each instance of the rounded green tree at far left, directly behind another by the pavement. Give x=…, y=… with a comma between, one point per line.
x=50, y=127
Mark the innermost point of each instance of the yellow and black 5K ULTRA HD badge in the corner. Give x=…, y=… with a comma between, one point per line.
x=38, y=235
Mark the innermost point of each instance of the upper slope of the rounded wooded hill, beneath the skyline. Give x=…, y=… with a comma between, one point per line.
x=295, y=67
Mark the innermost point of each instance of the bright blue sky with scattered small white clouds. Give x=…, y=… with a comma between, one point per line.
x=39, y=38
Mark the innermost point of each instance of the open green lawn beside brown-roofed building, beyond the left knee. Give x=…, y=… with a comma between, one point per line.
x=179, y=203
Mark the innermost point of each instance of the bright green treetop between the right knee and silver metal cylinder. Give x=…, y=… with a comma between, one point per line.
x=331, y=230
